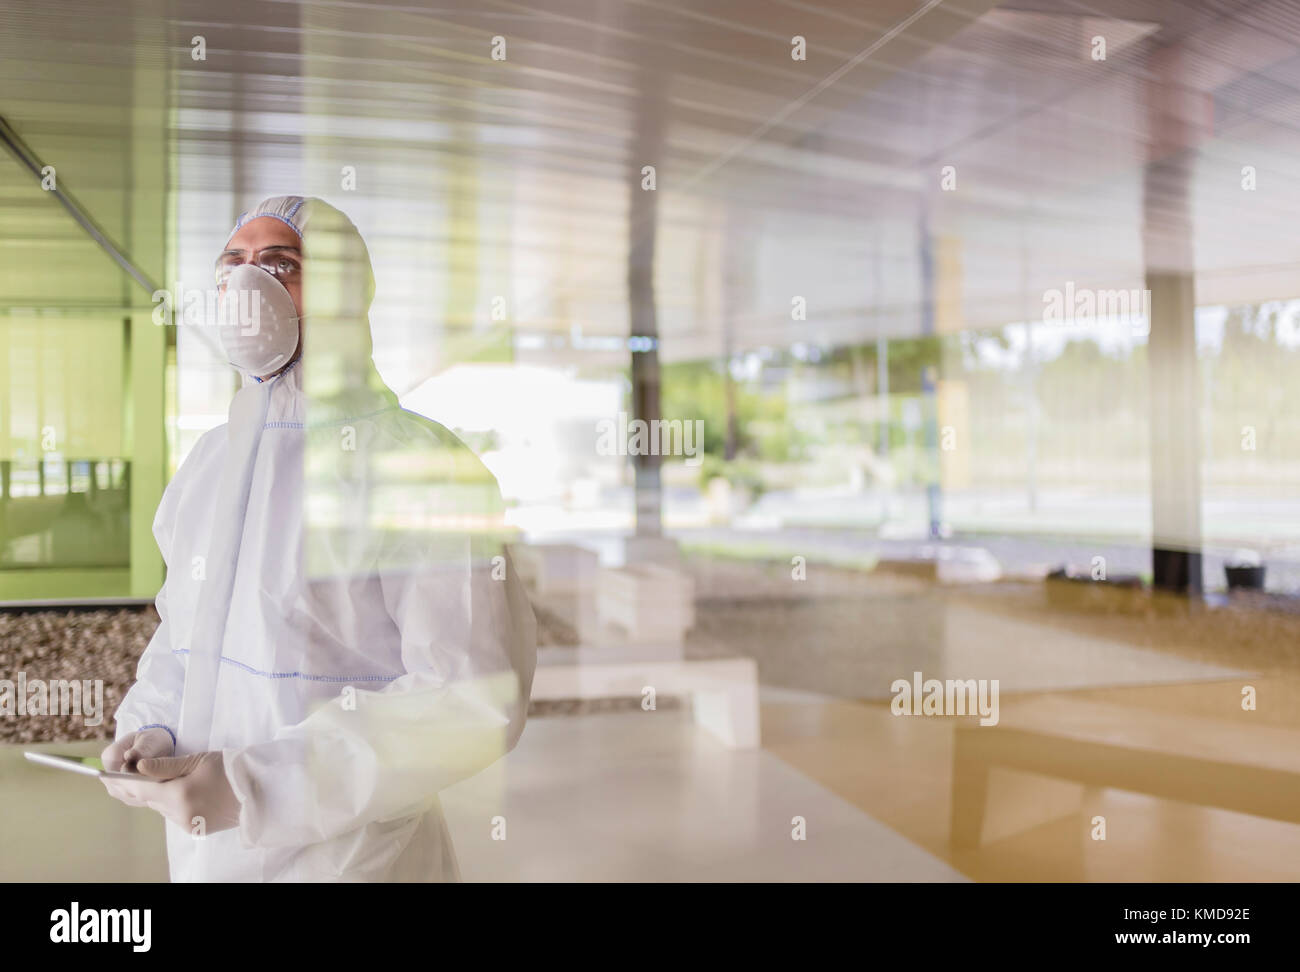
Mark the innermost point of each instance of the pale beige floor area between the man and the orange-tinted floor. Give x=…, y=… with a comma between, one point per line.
x=651, y=799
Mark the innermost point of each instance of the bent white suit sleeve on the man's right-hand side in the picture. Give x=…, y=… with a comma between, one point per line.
x=469, y=650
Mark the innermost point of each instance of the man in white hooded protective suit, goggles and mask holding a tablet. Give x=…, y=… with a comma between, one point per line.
x=343, y=633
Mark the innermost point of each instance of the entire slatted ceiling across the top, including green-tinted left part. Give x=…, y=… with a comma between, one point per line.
x=480, y=179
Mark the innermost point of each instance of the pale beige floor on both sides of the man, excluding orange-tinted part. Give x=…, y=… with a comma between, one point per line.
x=634, y=797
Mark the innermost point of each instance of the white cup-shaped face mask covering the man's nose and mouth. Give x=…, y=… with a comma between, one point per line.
x=261, y=324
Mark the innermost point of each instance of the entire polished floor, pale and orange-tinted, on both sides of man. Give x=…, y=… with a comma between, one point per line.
x=1130, y=718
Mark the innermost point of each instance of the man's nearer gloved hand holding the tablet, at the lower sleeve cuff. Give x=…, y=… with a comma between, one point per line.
x=192, y=792
